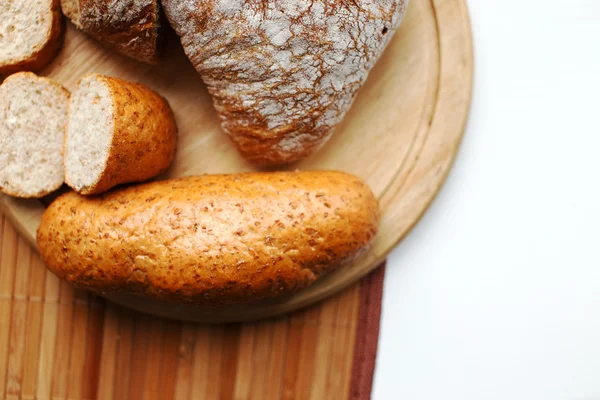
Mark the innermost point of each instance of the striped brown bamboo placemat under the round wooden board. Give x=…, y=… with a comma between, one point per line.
x=60, y=343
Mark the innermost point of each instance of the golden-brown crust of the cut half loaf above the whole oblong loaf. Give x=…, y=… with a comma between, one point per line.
x=144, y=136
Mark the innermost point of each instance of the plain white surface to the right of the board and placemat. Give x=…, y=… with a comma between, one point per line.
x=496, y=293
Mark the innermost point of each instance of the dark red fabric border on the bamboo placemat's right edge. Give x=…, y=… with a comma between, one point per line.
x=367, y=335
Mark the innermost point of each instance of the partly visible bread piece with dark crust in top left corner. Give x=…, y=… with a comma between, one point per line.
x=30, y=34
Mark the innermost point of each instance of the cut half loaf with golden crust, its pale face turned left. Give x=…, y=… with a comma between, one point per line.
x=117, y=132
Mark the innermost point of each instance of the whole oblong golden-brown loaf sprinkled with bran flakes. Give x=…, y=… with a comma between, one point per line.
x=219, y=239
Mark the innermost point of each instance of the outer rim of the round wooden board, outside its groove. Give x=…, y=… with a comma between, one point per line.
x=450, y=114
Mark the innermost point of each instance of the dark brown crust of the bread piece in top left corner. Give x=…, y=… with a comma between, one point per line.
x=43, y=55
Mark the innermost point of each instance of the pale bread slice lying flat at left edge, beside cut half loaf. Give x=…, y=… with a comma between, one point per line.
x=33, y=115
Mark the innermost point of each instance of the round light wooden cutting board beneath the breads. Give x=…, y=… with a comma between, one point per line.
x=401, y=136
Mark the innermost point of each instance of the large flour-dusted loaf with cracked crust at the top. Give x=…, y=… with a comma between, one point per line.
x=283, y=73
